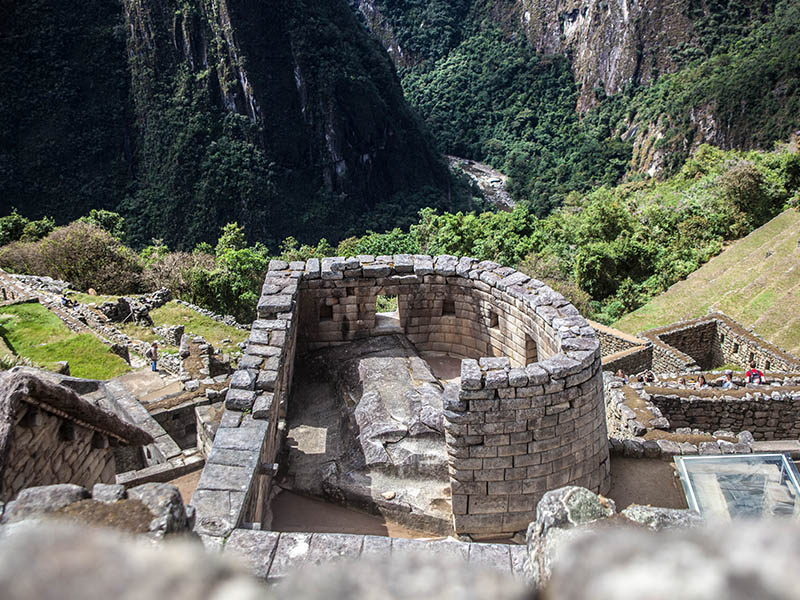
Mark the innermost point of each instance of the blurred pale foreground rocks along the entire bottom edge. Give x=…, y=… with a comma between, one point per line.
x=47, y=560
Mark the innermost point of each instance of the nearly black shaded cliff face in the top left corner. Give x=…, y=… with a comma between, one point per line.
x=65, y=139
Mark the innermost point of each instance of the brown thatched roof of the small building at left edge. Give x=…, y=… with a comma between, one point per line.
x=18, y=387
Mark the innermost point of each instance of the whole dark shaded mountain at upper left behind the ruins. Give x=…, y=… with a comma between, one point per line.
x=286, y=116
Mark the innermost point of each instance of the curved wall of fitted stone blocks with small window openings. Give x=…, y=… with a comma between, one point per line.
x=529, y=414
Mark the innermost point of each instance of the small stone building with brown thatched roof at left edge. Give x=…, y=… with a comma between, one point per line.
x=49, y=434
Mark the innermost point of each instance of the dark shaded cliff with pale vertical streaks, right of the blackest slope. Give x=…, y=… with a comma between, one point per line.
x=295, y=99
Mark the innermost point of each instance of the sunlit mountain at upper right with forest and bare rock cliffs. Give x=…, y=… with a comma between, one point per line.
x=565, y=96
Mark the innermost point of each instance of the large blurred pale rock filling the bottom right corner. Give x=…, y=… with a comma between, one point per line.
x=739, y=561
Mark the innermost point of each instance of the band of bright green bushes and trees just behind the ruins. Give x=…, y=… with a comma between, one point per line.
x=608, y=251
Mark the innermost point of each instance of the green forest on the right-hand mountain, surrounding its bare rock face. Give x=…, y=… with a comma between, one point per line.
x=486, y=95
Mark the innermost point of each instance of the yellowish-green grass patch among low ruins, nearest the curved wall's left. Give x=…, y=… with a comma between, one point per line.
x=193, y=322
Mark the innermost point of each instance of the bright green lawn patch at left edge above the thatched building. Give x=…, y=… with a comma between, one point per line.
x=32, y=331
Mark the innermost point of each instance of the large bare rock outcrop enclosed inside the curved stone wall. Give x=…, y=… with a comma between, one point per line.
x=369, y=424
